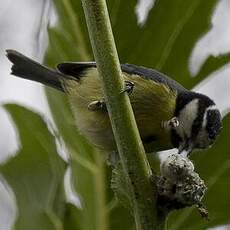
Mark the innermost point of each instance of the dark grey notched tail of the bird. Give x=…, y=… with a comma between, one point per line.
x=25, y=67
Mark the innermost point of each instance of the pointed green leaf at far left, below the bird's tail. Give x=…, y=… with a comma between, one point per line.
x=35, y=173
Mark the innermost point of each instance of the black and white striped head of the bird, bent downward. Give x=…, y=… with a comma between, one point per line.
x=200, y=122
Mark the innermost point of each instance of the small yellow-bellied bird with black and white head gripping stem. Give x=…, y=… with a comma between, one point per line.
x=168, y=115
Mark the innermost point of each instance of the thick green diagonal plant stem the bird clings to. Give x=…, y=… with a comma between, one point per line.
x=125, y=130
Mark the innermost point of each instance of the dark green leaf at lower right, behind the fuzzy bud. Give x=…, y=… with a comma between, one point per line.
x=213, y=166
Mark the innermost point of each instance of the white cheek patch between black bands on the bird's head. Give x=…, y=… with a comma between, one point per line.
x=186, y=117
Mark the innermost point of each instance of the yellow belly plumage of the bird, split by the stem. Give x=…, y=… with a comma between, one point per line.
x=152, y=103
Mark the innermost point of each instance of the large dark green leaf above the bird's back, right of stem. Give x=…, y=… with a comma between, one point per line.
x=166, y=40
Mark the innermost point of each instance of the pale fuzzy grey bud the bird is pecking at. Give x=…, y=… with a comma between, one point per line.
x=179, y=186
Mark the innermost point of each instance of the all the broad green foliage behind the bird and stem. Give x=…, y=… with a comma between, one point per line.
x=164, y=42
